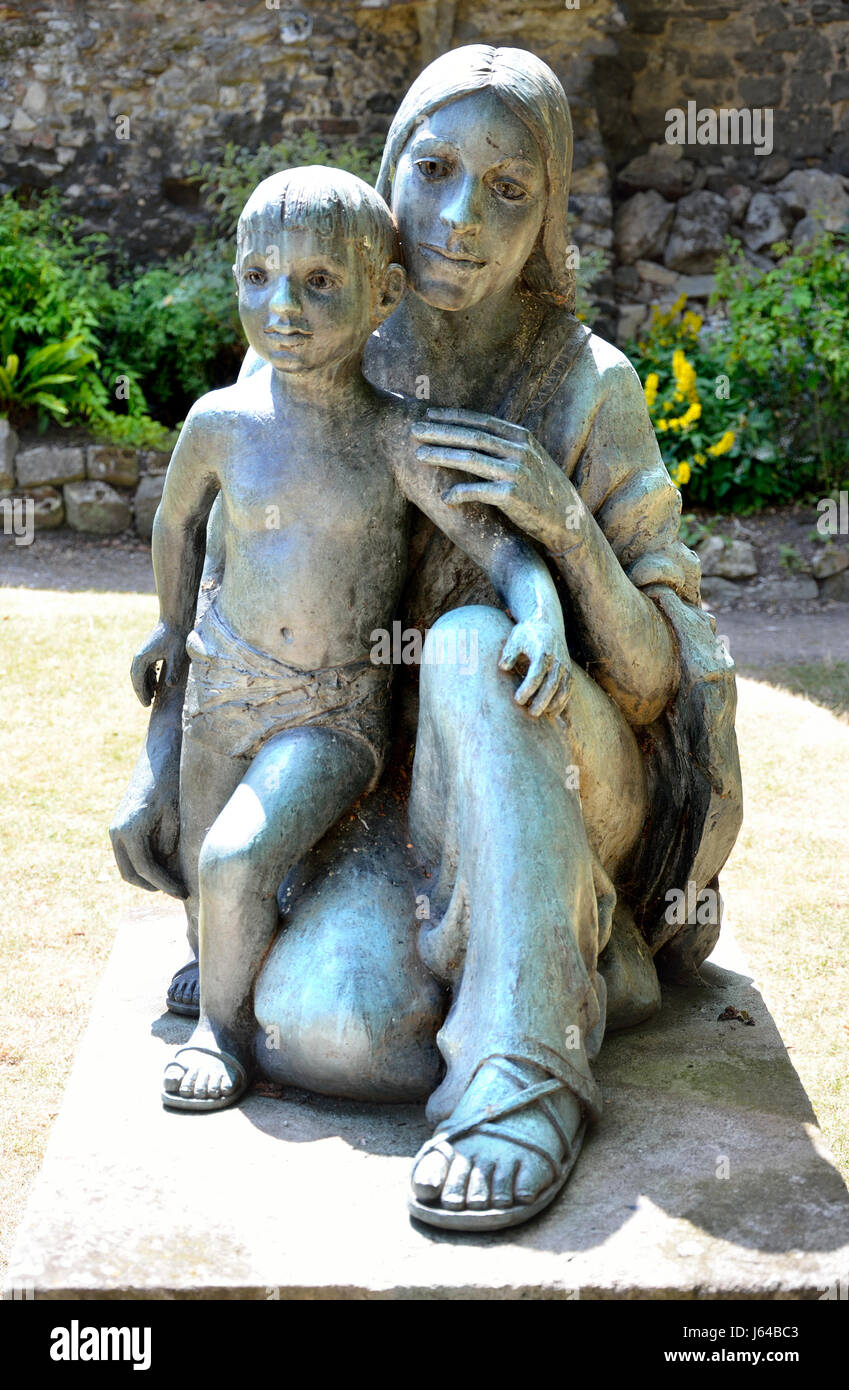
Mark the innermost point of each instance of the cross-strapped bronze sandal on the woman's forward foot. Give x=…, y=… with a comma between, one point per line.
x=486, y=1122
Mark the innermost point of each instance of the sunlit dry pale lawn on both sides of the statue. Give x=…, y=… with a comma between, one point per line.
x=69, y=739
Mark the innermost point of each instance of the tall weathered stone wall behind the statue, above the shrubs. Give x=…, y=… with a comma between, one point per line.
x=115, y=101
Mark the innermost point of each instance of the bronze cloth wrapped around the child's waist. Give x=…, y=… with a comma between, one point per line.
x=238, y=697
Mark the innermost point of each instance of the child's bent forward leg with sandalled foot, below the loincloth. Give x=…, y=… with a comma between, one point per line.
x=295, y=790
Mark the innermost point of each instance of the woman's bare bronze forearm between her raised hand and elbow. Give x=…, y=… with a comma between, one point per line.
x=630, y=646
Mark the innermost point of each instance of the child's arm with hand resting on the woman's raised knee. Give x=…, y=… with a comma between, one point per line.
x=516, y=572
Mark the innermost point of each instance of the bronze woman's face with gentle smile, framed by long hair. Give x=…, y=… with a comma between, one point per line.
x=470, y=197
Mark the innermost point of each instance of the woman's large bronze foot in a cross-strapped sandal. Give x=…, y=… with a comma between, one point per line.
x=512, y=1139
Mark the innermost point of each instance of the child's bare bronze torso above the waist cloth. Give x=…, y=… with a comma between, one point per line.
x=315, y=525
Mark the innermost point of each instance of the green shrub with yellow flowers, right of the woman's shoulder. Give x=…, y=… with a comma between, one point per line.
x=752, y=414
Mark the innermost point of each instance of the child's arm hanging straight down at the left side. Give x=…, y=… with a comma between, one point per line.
x=179, y=547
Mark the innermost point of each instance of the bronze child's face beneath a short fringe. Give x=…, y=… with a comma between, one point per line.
x=305, y=301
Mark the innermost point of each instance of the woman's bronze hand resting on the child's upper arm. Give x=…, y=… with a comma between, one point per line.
x=513, y=471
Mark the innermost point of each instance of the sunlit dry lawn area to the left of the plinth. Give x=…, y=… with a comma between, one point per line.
x=70, y=733
